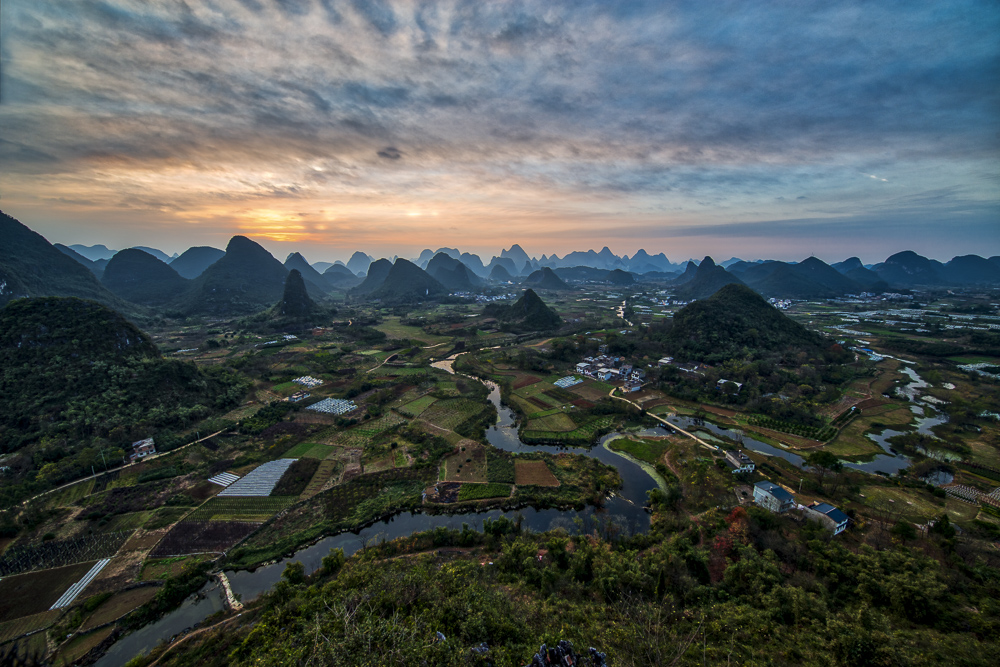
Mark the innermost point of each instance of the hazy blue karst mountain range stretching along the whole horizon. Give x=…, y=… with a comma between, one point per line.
x=245, y=278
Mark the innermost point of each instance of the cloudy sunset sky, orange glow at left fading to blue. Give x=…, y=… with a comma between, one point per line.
x=752, y=129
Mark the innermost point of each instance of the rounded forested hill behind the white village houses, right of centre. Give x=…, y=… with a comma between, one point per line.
x=734, y=322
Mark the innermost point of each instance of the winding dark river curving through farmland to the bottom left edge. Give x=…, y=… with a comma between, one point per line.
x=622, y=513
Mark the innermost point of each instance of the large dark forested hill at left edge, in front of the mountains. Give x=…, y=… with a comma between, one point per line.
x=75, y=370
